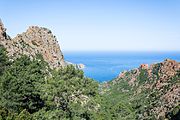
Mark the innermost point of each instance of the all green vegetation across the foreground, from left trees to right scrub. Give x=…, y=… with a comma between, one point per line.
x=30, y=90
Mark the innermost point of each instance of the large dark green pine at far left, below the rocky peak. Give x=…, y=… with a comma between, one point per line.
x=19, y=85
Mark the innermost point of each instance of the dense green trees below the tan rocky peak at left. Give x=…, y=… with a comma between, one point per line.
x=30, y=90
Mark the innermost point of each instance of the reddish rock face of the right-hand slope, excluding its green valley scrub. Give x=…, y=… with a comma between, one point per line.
x=161, y=80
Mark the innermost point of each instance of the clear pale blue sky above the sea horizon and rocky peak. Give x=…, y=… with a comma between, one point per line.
x=86, y=25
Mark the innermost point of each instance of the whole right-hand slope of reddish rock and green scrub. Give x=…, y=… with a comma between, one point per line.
x=152, y=92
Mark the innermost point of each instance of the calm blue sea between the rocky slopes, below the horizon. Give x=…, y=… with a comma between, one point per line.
x=104, y=66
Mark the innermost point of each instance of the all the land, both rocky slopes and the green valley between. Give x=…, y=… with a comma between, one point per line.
x=36, y=83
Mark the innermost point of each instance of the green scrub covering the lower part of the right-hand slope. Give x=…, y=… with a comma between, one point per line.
x=128, y=102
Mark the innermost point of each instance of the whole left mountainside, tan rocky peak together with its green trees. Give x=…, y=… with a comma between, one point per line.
x=31, y=86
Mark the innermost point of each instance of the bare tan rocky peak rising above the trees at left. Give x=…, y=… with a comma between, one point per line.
x=36, y=40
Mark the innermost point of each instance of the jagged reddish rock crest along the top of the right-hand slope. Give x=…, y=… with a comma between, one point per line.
x=162, y=71
